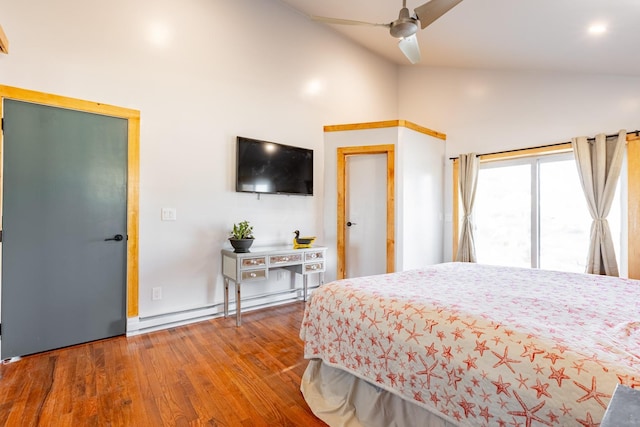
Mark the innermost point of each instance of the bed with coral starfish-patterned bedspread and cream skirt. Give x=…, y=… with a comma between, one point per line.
x=460, y=344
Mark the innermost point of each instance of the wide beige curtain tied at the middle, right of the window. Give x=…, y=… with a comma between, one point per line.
x=599, y=163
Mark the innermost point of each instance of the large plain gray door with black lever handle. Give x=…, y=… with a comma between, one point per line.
x=64, y=193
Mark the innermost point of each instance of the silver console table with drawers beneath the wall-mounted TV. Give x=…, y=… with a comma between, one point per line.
x=255, y=265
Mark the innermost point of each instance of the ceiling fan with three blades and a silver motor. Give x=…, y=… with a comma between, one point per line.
x=406, y=26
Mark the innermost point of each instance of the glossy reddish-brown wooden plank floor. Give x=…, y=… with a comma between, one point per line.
x=209, y=373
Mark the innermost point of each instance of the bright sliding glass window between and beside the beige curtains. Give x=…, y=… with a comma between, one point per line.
x=531, y=212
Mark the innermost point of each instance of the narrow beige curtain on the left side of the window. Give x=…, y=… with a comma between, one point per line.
x=469, y=165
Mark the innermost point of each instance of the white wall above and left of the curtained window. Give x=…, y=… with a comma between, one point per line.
x=486, y=111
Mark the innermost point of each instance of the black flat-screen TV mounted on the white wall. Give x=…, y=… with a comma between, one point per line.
x=268, y=167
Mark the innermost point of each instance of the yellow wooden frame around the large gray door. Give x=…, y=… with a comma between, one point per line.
x=133, y=167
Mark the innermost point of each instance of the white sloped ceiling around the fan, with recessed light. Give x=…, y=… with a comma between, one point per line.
x=547, y=35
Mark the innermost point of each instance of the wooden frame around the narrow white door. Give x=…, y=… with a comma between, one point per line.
x=343, y=152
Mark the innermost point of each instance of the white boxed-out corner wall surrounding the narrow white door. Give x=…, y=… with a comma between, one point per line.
x=419, y=200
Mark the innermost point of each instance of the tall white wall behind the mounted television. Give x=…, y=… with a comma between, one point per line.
x=201, y=72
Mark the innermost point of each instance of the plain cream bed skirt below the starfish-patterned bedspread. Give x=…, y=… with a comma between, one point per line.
x=344, y=400
